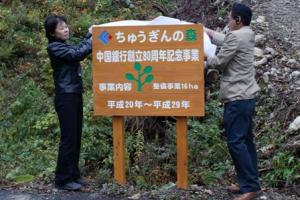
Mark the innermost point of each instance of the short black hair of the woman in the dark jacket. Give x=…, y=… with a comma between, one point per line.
x=51, y=23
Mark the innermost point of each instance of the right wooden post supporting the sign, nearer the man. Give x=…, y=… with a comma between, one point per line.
x=182, y=149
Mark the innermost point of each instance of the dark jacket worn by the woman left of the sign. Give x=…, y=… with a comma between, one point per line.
x=65, y=61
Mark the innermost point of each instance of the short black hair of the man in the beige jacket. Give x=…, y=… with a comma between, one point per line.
x=242, y=13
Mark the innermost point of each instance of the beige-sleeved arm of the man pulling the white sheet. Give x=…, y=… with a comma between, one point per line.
x=226, y=53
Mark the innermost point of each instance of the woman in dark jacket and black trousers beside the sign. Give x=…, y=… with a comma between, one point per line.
x=65, y=61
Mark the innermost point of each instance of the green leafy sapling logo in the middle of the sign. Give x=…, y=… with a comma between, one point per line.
x=146, y=71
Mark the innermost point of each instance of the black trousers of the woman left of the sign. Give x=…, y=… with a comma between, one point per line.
x=69, y=110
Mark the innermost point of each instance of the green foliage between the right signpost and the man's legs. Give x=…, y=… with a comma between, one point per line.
x=208, y=151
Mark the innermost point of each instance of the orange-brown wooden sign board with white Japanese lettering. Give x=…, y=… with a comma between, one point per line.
x=121, y=67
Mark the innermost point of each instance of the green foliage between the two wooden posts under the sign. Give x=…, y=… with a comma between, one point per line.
x=150, y=163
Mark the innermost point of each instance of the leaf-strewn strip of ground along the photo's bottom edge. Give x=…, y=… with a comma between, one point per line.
x=115, y=192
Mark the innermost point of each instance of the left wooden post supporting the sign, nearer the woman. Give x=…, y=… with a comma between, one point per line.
x=119, y=150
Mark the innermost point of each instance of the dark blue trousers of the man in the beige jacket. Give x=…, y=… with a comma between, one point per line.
x=238, y=127
